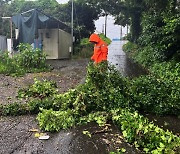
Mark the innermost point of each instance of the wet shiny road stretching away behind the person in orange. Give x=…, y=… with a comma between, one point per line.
x=125, y=65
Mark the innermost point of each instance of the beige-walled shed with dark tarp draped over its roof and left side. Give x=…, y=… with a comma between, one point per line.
x=44, y=32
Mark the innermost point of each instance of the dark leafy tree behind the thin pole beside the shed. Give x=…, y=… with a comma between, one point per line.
x=84, y=16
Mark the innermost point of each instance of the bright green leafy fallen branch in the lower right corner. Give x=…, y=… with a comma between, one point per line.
x=143, y=134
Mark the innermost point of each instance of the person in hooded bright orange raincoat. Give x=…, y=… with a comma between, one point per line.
x=100, y=49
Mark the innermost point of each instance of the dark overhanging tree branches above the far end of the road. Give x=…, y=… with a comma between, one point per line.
x=125, y=11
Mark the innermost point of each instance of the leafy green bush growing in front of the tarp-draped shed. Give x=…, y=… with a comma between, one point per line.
x=27, y=60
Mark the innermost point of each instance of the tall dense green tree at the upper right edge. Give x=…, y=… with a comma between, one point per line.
x=161, y=28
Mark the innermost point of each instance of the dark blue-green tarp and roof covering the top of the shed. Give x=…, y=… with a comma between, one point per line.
x=28, y=25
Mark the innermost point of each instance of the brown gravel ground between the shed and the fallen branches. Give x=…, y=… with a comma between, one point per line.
x=66, y=73
